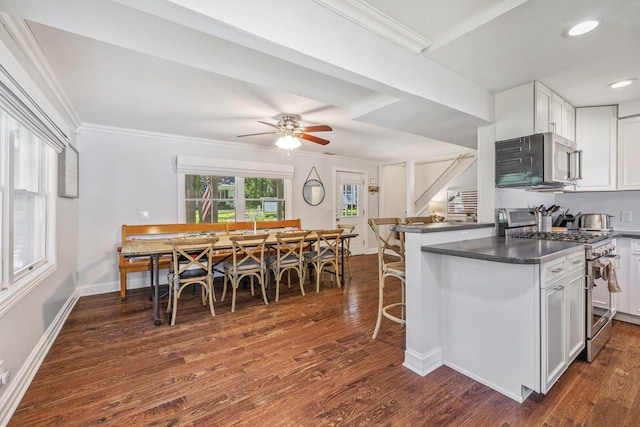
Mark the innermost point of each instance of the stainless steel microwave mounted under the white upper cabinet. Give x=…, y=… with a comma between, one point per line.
x=543, y=160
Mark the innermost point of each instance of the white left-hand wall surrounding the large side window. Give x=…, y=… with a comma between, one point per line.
x=26, y=328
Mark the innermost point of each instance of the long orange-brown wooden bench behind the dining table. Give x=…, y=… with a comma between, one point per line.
x=158, y=231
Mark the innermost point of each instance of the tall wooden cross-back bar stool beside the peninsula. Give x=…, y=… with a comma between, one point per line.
x=390, y=243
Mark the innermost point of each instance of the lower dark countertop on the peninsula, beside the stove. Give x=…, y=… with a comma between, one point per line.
x=503, y=249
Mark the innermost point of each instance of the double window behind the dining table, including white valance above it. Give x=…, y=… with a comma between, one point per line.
x=213, y=191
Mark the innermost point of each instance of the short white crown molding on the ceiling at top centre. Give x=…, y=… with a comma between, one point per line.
x=373, y=19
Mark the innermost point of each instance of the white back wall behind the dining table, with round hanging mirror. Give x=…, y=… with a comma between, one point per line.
x=123, y=173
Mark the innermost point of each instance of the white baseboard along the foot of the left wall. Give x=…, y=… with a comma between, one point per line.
x=19, y=384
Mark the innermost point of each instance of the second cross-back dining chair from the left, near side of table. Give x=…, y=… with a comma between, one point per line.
x=248, y=253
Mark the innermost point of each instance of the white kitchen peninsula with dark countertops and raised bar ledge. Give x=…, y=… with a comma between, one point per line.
x=476, y=303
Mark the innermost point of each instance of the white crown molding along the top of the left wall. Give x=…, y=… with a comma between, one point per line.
x=26, y=42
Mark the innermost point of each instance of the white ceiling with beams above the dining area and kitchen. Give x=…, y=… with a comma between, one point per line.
x=212, y=69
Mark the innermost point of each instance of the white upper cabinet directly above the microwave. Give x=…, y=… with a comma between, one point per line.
x=532, y=108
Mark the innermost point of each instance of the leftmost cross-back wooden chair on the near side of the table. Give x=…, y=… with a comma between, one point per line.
x=191, y=264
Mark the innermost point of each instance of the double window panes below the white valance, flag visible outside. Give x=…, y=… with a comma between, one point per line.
x=210, y=198
